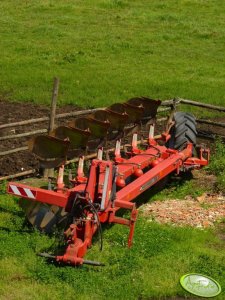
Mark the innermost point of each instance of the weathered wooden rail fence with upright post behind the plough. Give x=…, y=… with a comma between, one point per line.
x=166, y=106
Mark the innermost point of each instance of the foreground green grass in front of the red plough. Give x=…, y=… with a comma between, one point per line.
x=151, y=269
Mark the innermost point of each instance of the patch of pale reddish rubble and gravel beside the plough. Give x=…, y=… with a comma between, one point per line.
x=202, y=212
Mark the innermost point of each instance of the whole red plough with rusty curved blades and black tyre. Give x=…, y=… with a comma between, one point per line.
x=114, y=179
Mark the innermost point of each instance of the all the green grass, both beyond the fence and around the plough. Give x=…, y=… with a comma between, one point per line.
x=106, y=51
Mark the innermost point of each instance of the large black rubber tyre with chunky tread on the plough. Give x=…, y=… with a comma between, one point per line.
x=183, y=132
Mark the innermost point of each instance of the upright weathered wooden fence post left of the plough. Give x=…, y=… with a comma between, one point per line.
x=50, y=172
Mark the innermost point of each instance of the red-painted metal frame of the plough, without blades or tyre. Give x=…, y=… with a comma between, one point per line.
x=149, y=166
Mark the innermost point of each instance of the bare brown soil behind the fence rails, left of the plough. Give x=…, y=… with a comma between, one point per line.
x=13, y=112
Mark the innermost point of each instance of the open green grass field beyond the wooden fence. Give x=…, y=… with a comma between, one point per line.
x=109, y=50
